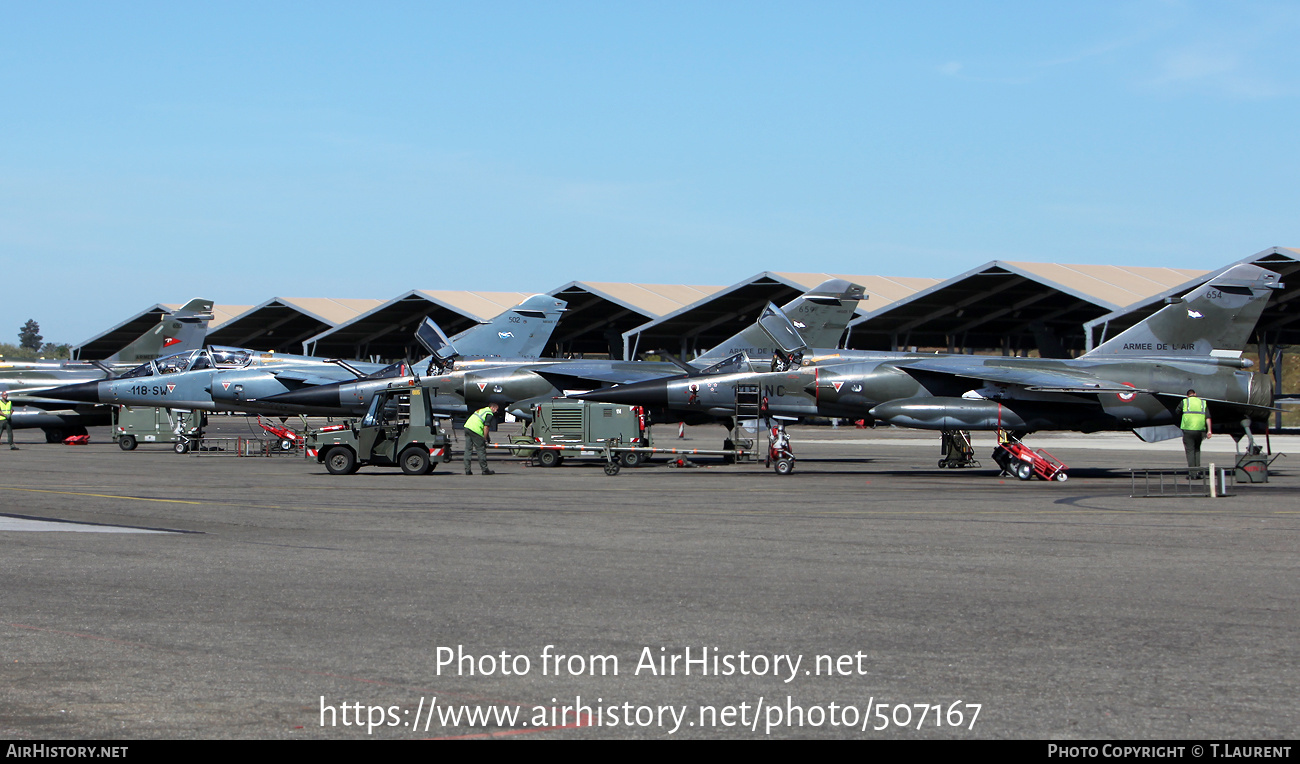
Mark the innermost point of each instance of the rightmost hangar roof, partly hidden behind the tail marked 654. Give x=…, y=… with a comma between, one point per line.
x=1281, y=319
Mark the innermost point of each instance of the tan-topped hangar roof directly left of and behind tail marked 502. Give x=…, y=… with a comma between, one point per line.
x=388, y=329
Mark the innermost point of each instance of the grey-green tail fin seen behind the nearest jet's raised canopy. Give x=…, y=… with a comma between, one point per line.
x=820, y=315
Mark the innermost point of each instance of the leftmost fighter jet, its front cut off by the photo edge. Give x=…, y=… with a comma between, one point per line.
x=31, y=383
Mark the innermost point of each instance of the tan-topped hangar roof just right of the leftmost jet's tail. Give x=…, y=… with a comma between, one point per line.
x=283, y=324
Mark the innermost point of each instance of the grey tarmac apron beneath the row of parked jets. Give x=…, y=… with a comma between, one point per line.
x=868, y=596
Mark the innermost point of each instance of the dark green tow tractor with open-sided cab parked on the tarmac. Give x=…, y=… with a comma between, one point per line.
x=398, y=431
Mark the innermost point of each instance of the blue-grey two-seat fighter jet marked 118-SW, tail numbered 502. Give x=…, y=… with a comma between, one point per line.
x=240, y=380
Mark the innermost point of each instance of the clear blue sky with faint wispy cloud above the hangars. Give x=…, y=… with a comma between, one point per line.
x=239, y=151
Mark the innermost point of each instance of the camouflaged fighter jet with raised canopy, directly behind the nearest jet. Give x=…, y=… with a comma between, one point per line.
x=824, y=311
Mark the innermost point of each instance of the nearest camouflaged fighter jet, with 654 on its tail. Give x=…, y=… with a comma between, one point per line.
x=1134, y=381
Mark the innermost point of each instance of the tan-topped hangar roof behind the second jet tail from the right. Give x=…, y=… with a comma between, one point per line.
x=701, y=325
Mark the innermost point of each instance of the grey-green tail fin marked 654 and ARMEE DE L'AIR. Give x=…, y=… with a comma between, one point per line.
x=1216, y=319
